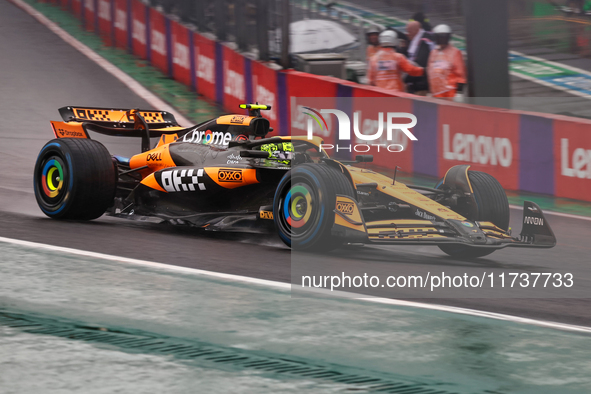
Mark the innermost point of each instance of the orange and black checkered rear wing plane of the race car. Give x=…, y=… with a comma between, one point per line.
x=120, y=118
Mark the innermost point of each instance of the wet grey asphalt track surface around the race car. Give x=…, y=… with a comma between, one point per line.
x=40, y=73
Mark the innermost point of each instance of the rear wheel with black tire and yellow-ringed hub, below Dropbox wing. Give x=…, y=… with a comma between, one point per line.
x=74, y=179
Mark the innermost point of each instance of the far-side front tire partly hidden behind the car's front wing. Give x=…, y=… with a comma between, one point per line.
x=493, y=206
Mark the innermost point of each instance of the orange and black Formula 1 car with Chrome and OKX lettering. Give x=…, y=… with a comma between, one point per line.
x=224, y=174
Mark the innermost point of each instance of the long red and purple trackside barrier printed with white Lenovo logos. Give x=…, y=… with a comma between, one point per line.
x=530, y=152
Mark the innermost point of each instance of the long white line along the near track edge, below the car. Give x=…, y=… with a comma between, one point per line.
x=287, y=286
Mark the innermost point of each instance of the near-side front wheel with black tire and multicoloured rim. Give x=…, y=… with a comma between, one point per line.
x=304, y=204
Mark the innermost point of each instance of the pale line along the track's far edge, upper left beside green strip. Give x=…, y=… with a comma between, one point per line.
x=131, y=83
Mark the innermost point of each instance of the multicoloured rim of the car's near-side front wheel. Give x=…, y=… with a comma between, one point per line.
x=299, y=209
